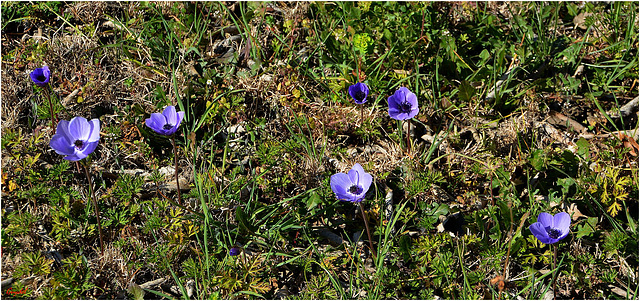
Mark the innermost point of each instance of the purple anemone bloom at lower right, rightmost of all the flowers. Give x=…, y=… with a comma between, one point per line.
x=550, y=229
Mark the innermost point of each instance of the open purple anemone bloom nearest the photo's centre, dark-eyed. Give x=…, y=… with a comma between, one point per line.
x=353, y=186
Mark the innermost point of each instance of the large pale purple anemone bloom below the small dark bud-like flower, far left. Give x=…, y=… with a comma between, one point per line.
x=76, y=139
